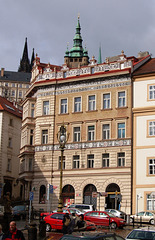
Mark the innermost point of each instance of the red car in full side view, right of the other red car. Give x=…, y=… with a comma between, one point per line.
x=104, y=219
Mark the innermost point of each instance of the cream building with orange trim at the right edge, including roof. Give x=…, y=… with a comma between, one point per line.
x=144, y=138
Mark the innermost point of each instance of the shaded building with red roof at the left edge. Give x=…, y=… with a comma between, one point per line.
x=10, y=133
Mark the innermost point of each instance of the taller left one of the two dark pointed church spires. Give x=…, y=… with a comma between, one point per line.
x=25, y=65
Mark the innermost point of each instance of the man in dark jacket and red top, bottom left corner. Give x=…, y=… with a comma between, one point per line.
x=13, y=233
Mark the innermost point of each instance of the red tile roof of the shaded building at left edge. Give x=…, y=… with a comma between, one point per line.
x=7, y=106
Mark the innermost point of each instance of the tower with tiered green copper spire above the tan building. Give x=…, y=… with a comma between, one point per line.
x=77, y=56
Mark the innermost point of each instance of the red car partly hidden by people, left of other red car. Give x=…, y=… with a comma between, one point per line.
x=54, y=221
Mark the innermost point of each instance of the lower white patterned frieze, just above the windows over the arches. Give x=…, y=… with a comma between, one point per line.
x=85, y=145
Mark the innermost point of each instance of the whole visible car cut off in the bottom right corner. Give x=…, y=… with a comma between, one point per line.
x=147, y=233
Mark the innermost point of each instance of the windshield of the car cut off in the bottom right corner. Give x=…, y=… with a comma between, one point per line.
x=140, y=234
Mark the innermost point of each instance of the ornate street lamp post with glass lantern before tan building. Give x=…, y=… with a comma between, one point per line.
x=62, y=137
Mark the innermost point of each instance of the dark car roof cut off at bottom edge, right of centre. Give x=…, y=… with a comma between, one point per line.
x=96, y=236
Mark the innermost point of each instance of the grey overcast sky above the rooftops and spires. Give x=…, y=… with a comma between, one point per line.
x=49, y=25
